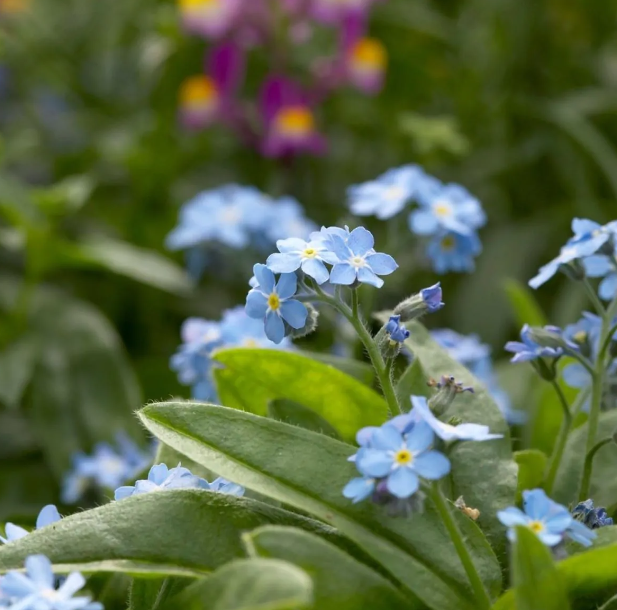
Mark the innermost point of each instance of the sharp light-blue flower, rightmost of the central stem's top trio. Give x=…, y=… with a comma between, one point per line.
x=358, y=261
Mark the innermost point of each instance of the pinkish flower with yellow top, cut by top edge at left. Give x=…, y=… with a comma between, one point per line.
x=209, y=18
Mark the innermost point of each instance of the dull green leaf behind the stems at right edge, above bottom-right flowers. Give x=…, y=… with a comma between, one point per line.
x=603, y=481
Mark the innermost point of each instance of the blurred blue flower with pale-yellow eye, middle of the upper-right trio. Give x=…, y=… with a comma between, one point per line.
x=447, y=207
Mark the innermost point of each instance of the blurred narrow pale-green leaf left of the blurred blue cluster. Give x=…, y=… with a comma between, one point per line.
x=145, y=266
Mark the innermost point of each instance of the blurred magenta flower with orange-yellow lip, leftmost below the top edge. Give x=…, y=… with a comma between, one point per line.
x=209, y=97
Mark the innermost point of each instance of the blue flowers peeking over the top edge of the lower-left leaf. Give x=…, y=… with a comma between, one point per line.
x=161, y=478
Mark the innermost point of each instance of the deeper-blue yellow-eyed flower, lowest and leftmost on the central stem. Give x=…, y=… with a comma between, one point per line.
x=272, y=302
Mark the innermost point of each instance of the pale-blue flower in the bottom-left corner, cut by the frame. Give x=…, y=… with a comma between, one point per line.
x=36, y=589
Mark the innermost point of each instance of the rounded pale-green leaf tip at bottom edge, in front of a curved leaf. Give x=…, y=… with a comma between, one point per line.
x=250, y=584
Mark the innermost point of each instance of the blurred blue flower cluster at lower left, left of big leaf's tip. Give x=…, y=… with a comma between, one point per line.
x=106, y=468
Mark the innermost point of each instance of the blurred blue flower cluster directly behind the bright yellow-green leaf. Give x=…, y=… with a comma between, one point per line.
x=193, y=361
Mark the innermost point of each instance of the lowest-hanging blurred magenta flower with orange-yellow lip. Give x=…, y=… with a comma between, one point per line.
x=289, y=120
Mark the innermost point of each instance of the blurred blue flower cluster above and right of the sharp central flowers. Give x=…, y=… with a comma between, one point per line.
x=447, y=213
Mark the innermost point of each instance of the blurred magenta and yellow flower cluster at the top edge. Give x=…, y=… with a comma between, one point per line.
x=281, y=122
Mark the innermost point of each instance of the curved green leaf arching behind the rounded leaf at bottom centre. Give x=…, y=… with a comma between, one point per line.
x=341, y=582
